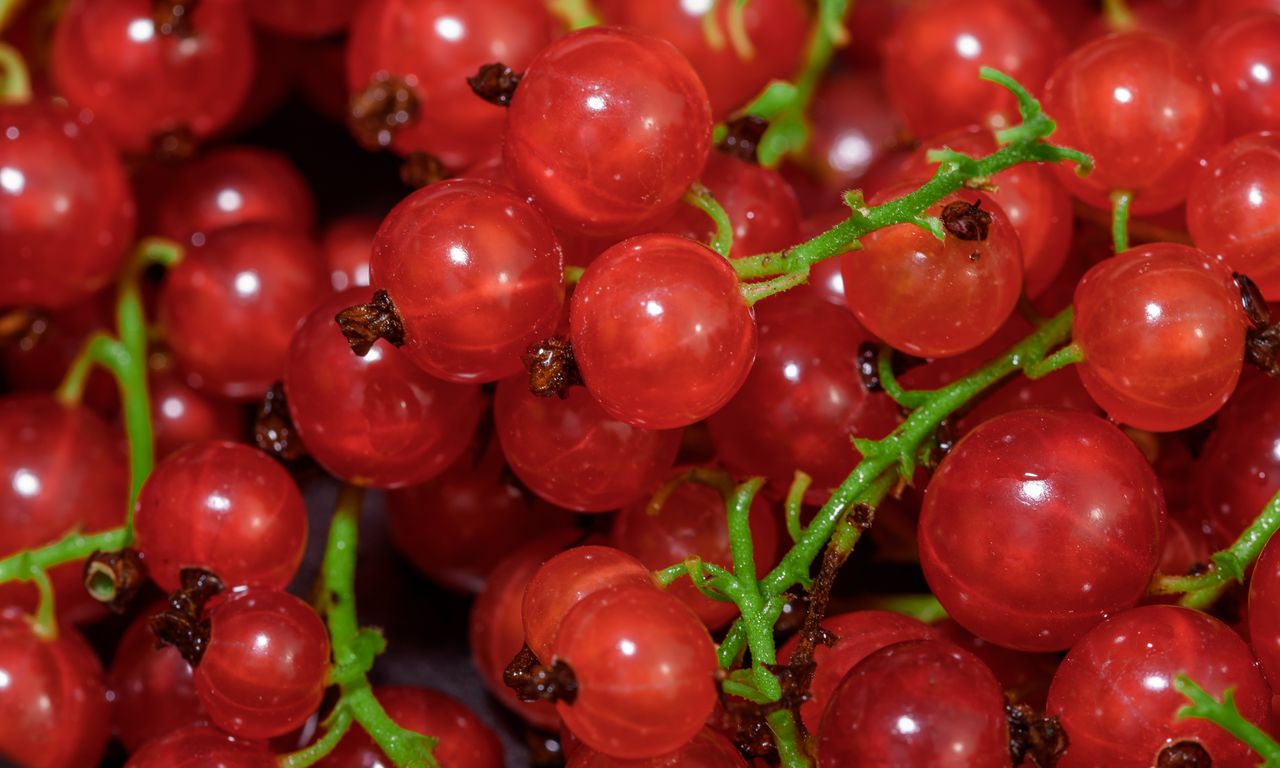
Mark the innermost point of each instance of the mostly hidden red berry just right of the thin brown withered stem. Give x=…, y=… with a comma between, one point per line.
x=856, y=636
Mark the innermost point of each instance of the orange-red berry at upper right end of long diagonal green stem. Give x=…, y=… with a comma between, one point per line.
x=1163, y=336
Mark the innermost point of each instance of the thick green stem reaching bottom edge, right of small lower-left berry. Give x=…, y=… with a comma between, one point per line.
x=354, y=651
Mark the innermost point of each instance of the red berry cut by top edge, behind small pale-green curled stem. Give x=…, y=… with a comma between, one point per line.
x=776, y=30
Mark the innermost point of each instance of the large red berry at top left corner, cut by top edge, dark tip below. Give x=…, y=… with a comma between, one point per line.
x=112, y=58
